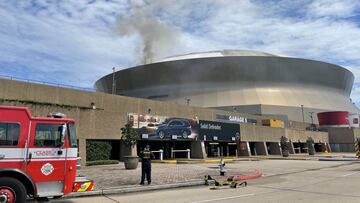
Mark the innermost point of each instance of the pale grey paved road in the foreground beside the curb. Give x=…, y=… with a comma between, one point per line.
x=283, y=181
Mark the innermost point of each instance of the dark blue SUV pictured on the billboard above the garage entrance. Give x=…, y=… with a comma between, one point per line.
x=178, y=127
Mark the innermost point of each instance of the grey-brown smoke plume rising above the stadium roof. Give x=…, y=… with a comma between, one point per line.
x=158, y=37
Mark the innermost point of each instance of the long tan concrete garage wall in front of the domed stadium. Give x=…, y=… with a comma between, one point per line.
x=104, y=122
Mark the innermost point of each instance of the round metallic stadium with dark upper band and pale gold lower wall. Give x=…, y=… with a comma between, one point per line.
x=245, y=81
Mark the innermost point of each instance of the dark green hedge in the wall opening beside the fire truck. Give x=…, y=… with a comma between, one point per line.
x=98, y=150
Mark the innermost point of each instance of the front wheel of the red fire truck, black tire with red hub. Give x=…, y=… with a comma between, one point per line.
x=12, y=190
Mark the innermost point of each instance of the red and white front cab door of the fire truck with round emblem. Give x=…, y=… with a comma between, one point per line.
x=46, y=159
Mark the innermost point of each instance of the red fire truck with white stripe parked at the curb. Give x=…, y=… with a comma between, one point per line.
x=37, y=156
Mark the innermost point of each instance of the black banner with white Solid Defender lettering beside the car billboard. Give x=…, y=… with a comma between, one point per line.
x=211, y=130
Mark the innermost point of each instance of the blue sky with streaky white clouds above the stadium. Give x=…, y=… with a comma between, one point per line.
x=75, y=42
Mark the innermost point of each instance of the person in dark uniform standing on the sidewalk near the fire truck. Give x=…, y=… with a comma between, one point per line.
x=146, y=155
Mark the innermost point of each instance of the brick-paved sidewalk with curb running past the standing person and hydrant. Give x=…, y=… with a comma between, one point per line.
x=115, y=179
